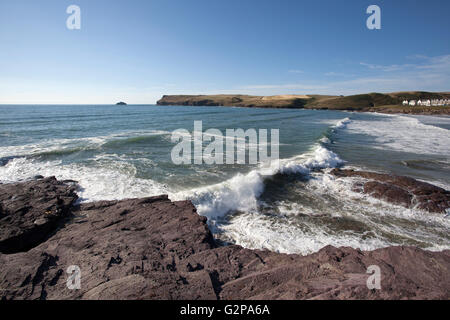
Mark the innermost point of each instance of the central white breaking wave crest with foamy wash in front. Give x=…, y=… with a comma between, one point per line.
x=375, y=223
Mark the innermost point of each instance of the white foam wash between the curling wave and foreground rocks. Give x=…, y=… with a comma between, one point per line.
x=283, y=234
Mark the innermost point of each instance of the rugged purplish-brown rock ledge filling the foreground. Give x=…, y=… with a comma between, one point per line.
x=153, y=248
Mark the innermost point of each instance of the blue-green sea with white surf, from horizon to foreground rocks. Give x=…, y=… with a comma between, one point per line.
x=118, y=152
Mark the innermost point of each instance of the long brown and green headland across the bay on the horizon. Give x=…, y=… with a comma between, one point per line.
x=370, y=102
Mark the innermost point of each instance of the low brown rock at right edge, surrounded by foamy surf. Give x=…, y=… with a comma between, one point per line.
x=404, y=191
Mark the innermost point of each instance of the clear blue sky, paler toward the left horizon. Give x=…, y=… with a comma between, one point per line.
x=136, y=51
